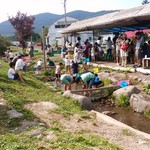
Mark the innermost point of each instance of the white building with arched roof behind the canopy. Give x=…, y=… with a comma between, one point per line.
x=55, y=37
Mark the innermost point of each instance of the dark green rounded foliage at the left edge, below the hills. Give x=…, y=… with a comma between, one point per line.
x=4, y=43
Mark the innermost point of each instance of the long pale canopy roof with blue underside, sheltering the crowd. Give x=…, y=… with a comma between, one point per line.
x=137, y=18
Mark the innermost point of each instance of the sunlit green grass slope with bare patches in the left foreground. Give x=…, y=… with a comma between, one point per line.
x=17, y=95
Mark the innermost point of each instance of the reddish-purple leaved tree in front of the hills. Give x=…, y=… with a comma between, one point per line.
x=23, y=26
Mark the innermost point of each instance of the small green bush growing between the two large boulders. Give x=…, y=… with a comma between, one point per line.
x=123, y=101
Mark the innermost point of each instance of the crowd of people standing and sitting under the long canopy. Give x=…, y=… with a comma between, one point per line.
x=119, y=49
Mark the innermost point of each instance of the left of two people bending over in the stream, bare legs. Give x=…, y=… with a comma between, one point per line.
x=66, y=79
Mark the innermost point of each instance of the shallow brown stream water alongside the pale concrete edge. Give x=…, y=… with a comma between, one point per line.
x=125, y=115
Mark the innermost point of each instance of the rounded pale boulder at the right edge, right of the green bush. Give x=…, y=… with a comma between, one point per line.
x=140, y=102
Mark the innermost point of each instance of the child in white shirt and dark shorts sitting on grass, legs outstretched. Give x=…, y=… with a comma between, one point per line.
x=12, y=74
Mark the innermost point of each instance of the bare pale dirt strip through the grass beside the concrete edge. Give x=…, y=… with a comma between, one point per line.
x=122, y=137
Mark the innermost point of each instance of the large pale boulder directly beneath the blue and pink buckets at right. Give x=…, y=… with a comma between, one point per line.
x=127, y=91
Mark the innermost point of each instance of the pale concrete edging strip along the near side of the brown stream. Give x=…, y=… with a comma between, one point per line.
x=120, y=124
